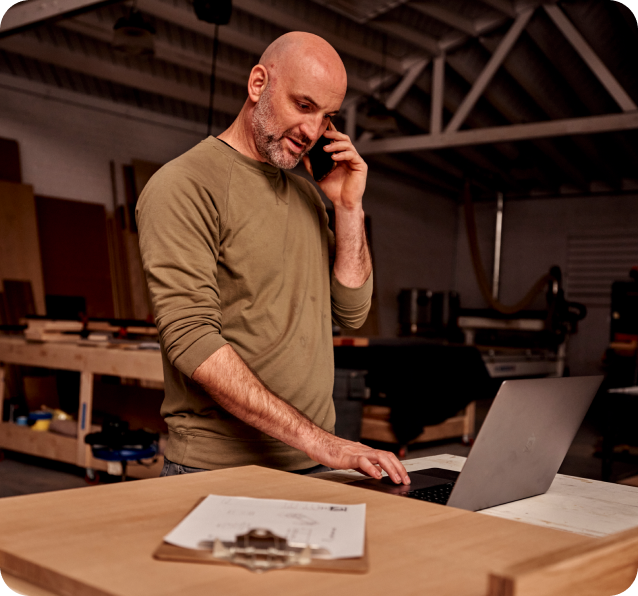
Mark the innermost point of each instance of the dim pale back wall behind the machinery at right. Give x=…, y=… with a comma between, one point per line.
x=535, y=237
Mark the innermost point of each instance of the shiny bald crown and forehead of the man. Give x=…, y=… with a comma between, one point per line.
x=299, y=54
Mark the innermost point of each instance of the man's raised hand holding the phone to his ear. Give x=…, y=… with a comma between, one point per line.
x=345, y=183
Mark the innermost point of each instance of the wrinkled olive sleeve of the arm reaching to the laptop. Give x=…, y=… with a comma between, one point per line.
x=179, y=233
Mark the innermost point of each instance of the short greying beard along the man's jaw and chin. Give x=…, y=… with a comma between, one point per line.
x=270, y=141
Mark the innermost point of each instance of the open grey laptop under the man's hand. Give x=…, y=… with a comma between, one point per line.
x=517, y=453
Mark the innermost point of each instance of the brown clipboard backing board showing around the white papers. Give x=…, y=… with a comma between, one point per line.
x=171, y=552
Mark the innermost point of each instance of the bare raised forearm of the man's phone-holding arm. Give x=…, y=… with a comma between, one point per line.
x=353, y=264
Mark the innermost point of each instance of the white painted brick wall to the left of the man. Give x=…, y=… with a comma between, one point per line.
x=67, y=140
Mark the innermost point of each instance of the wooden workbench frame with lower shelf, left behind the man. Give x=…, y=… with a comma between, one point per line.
x=88, y=360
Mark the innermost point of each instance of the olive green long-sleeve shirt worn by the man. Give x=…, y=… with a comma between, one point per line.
x=238, y=251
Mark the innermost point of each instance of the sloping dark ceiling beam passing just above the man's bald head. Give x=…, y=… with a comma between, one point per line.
x=289, y=21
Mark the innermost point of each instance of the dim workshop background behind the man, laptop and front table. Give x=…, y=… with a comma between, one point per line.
x=501, y=203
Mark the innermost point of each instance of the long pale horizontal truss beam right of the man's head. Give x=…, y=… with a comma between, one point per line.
x=497, y=134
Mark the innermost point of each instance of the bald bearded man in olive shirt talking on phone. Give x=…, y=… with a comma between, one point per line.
x=237, y=257
